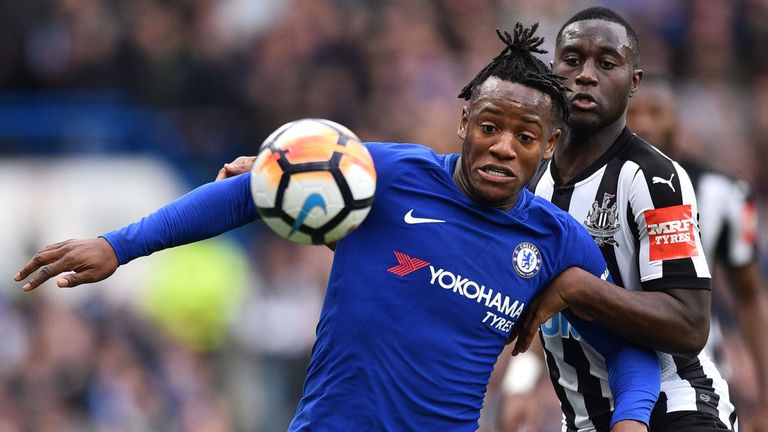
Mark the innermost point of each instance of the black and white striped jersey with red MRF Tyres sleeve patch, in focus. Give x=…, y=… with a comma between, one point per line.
x=641, y=209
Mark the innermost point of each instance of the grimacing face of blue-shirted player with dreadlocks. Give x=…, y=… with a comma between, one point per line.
x=507, y=130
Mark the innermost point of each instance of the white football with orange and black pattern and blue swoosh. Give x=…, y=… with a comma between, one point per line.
x=313, y=181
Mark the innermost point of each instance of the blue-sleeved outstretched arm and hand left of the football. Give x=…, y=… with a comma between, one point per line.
x=205, y=212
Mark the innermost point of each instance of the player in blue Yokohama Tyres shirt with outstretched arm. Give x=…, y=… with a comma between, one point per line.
x=413, y=349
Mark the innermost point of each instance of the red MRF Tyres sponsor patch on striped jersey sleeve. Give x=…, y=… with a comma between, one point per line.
x=671, y=233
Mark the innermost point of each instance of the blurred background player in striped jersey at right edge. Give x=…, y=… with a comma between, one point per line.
x=728, y=233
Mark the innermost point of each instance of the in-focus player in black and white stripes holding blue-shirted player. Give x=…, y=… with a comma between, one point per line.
x=641, y=210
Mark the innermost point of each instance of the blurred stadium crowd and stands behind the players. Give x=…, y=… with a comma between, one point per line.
x=109, y=109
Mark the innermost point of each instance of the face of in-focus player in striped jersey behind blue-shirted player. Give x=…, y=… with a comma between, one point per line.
x=595, y=57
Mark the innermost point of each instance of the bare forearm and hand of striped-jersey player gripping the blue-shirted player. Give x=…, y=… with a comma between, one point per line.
x=674, y=321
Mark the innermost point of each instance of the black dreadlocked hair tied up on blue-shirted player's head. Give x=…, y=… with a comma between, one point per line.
x=516, y=63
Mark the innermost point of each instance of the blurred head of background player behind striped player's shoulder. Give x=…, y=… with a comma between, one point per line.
x=652, y=116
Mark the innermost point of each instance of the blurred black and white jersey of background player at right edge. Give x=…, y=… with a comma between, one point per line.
x=728, y=215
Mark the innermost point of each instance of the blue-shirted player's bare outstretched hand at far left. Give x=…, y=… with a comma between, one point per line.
x=91, y=260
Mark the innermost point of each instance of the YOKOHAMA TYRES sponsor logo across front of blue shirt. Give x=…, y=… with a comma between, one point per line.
x=502, y=311
